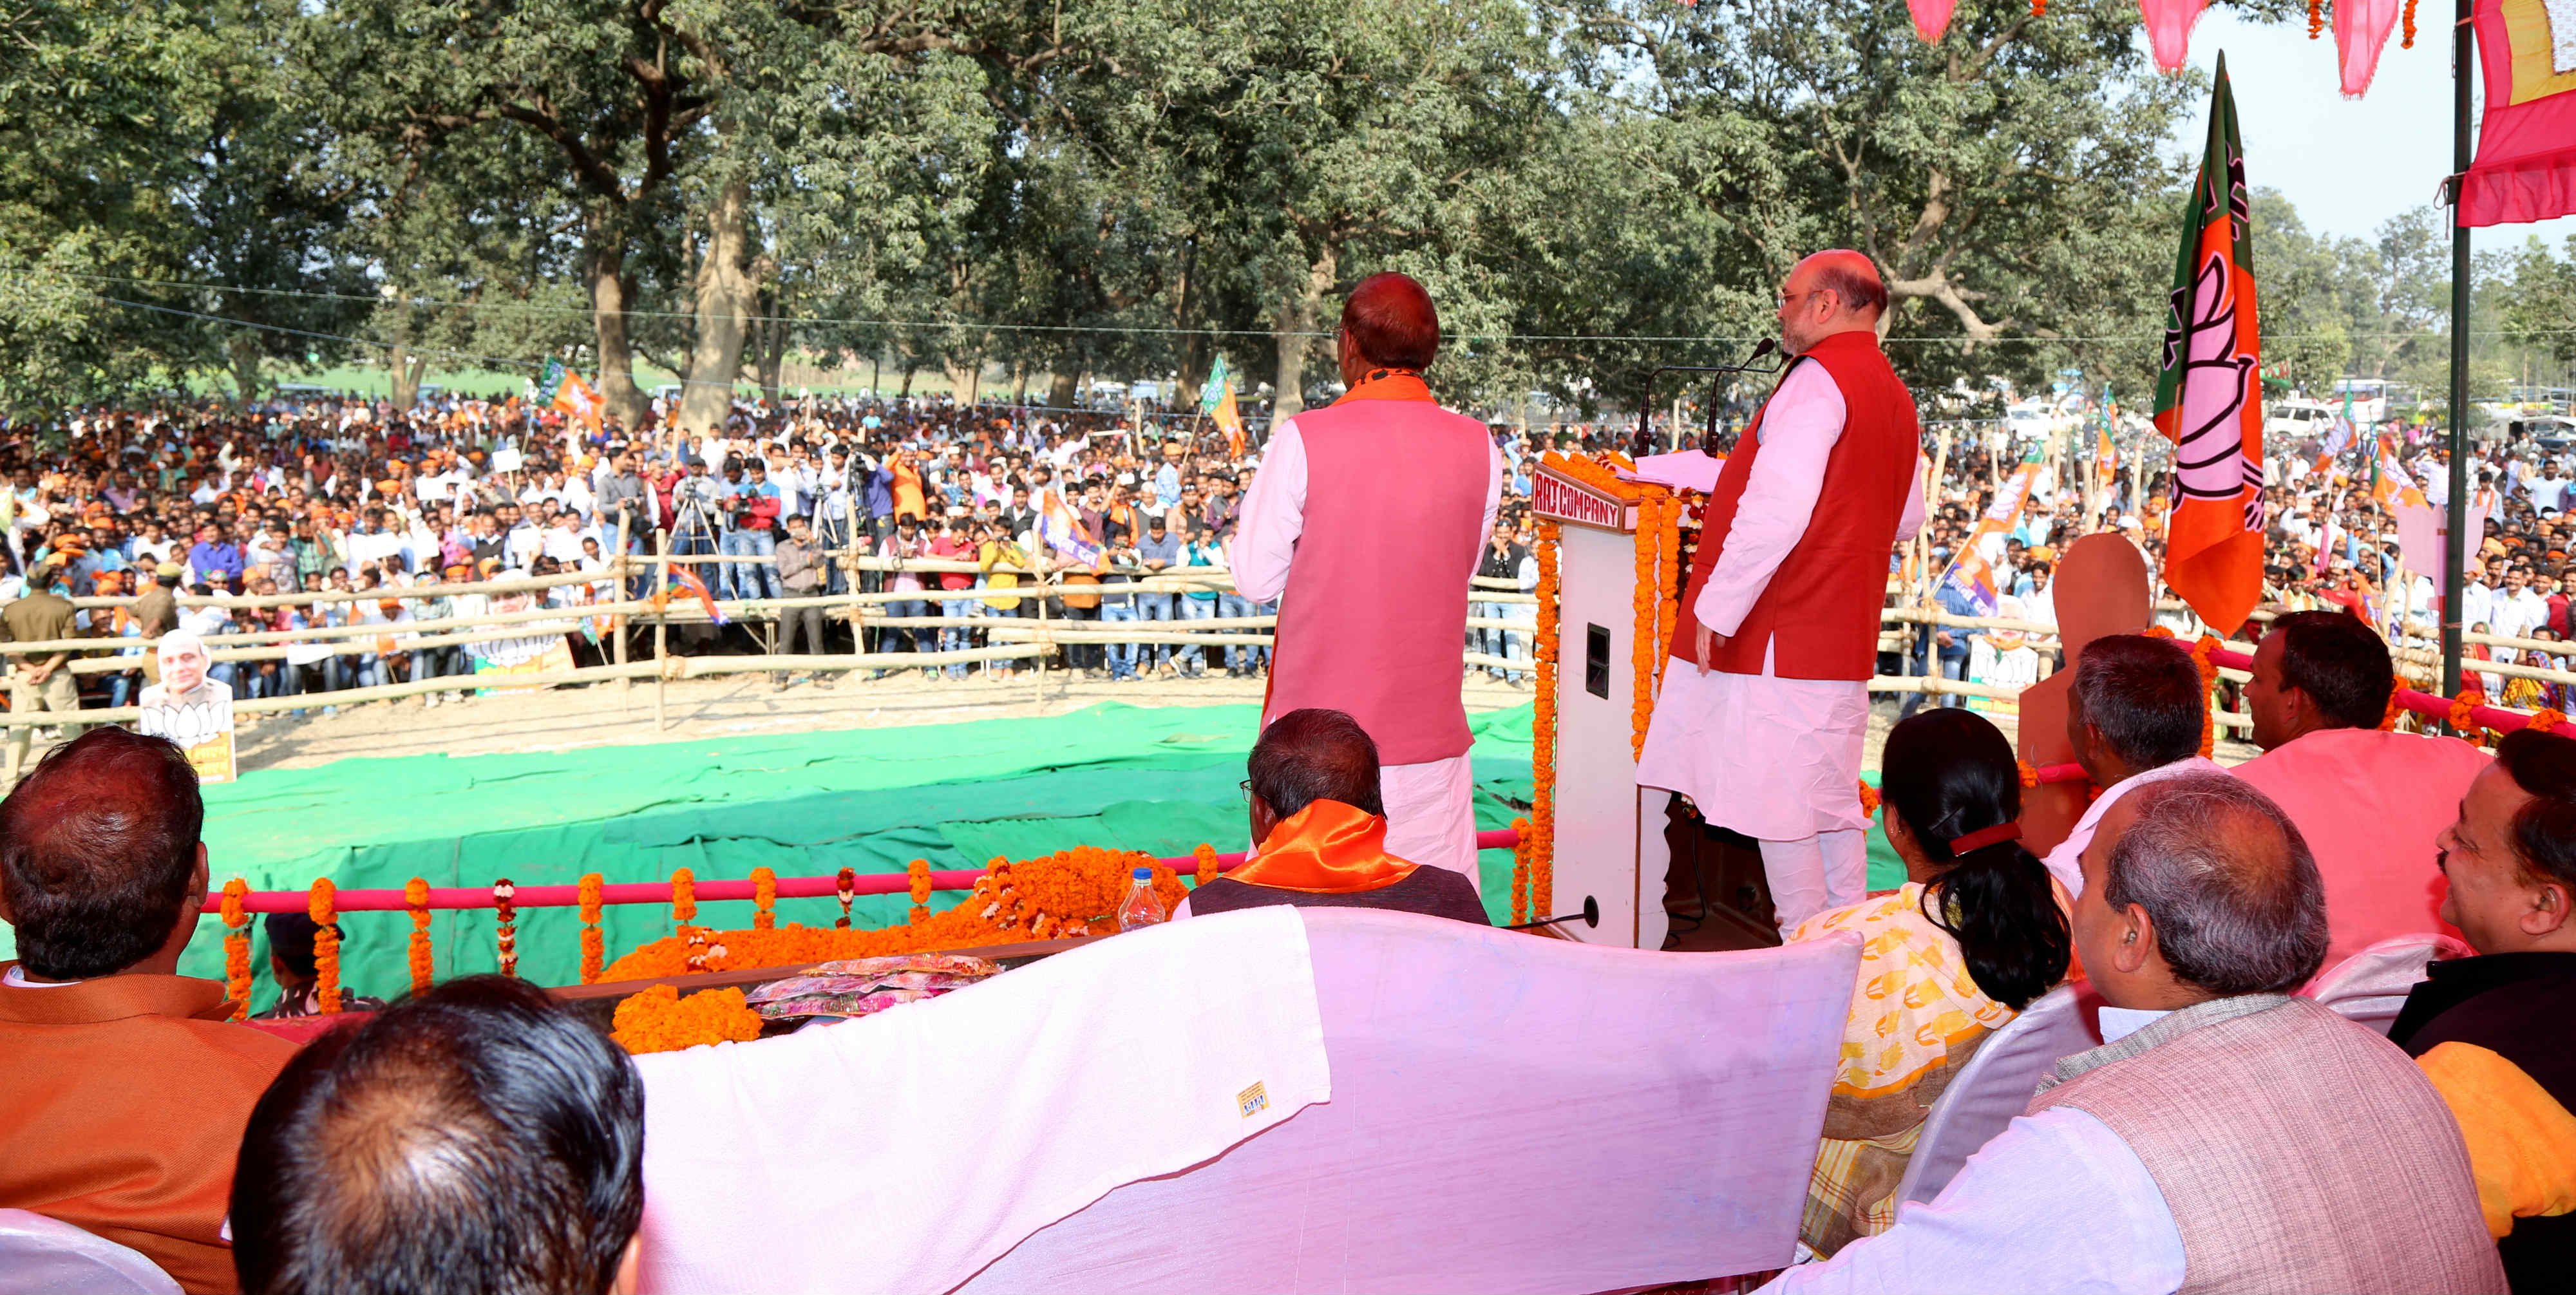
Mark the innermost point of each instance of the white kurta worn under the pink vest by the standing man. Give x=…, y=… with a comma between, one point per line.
x=1431, y=810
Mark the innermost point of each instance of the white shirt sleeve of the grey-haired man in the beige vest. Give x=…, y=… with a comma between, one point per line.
x=2054, y=1204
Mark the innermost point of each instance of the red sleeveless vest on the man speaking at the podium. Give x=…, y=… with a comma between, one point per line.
x=1823, y=604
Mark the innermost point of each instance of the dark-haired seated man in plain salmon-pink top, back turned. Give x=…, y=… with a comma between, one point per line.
x=2366, y=802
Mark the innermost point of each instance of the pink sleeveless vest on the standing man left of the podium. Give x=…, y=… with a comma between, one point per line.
x=1374, y=617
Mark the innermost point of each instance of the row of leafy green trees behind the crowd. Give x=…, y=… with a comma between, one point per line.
x=225, y=192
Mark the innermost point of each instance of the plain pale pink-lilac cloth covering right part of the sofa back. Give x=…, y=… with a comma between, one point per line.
x=1508, y=1113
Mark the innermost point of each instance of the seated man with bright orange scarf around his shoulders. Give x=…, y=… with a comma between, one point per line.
x=1323, y=830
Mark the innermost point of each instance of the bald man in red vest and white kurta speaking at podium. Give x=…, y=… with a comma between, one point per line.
x=1766, y=699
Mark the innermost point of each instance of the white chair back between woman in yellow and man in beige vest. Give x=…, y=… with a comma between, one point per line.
x=1995, y=1085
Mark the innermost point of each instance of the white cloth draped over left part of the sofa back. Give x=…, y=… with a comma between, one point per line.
x=908, y=1150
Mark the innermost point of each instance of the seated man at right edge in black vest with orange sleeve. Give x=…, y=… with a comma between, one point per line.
x=2492, y=1031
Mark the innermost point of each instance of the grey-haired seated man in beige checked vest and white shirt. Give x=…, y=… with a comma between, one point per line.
x=2227, y=1137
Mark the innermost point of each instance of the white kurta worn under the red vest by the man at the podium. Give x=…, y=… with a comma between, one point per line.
x=1761, y=756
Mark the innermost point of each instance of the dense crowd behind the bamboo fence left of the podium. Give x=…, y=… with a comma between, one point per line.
x=349, y=496
